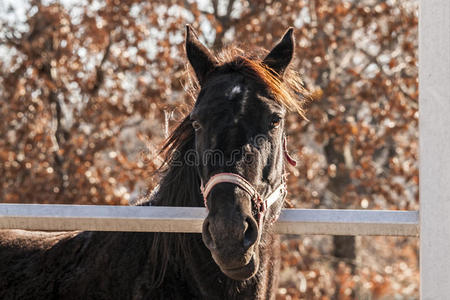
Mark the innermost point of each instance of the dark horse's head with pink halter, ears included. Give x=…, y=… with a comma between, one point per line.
x=238, y=120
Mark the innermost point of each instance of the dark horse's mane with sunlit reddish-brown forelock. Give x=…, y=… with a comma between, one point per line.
x=180, y=183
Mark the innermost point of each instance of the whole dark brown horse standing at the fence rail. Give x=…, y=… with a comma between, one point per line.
x=228, y=154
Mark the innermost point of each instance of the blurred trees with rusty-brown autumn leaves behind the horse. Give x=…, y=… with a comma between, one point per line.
x=89, y=90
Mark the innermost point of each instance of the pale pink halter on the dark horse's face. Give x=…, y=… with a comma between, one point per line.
x=261, y=204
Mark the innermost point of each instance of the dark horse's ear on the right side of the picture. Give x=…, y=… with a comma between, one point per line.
x=281, y=55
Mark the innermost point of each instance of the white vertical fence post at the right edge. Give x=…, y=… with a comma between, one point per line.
x=434, y=128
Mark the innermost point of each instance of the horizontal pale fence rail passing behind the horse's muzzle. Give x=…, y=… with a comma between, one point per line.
x=57, y=217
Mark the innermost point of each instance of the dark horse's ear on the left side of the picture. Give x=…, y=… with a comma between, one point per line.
x=200, y=58
